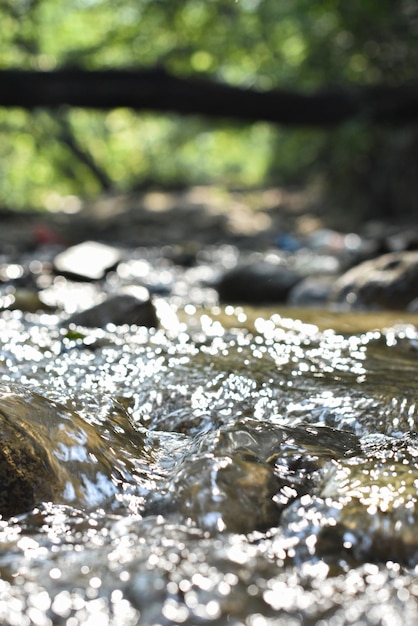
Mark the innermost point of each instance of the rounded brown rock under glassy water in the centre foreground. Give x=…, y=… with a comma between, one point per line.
x=222, y=485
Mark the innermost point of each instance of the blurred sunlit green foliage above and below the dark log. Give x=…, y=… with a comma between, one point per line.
x=49, y=156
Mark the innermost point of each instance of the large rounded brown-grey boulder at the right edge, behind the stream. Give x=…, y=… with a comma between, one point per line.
x=388, y=282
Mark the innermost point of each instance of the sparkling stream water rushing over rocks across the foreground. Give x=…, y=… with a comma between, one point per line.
x=228, y=469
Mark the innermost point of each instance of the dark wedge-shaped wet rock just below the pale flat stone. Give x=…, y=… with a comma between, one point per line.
x=131, y=307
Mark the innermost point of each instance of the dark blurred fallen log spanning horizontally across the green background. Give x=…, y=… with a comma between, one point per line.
x=156, y=90
